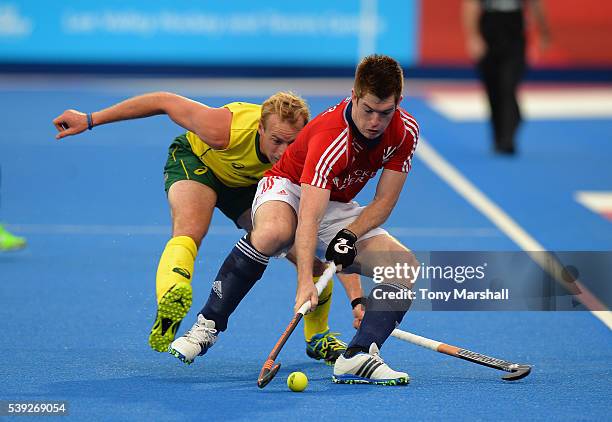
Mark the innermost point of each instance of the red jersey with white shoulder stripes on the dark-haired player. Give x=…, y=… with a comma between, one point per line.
x=328, y=153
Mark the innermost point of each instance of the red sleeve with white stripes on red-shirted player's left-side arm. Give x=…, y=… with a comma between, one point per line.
x=326, y=157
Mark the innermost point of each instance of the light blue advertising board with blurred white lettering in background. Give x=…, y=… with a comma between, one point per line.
x=239, y=32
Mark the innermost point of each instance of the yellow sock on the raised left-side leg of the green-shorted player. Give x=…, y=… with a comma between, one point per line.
x=175, y=264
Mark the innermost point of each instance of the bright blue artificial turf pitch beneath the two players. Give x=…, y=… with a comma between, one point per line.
x=77, y=304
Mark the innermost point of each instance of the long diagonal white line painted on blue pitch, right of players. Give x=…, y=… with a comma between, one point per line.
x=506, y=224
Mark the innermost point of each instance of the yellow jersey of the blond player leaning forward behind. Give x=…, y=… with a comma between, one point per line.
x=241, y=163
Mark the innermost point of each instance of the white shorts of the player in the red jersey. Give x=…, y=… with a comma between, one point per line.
x=337, y=216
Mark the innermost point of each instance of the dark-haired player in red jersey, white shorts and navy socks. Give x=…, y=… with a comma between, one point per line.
x=306, y=199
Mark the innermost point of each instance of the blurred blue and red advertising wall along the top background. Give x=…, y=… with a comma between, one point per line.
x=248, y=38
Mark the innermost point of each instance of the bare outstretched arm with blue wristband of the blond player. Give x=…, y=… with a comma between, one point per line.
x=212, y=125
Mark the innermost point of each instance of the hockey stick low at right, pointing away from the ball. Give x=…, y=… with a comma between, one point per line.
x=517, y=371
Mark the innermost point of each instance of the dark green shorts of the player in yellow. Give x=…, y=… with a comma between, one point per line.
x=183, y=164
